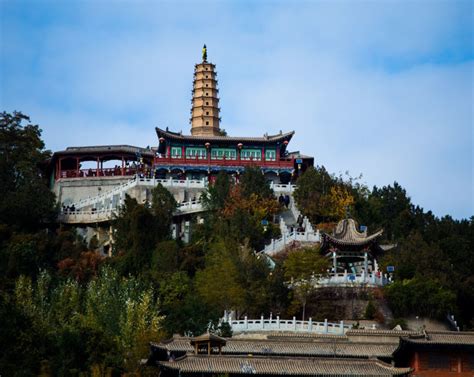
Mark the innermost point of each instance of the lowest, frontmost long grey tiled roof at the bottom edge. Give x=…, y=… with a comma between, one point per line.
x=264, y=365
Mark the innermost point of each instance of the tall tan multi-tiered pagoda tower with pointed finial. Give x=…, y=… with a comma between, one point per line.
x=205, y=102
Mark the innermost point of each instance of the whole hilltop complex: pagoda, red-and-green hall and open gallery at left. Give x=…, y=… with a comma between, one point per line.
x=201, y=154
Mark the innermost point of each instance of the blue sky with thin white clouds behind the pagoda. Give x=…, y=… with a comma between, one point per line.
x=378, y=88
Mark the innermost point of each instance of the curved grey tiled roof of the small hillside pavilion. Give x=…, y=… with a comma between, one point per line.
x=346, y=234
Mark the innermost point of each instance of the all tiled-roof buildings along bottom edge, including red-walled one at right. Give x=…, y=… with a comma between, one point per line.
x=356, y=353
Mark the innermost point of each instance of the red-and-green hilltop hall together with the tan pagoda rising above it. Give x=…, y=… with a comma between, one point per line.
x=208, y=150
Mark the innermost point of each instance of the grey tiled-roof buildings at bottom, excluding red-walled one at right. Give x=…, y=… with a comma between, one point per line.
x=282, y=354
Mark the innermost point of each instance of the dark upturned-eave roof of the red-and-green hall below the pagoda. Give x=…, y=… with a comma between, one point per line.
x=267, y=139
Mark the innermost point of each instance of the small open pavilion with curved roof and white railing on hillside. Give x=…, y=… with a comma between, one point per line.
x=354, y=255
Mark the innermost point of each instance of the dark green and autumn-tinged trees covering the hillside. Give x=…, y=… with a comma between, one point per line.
x=65, y=310
